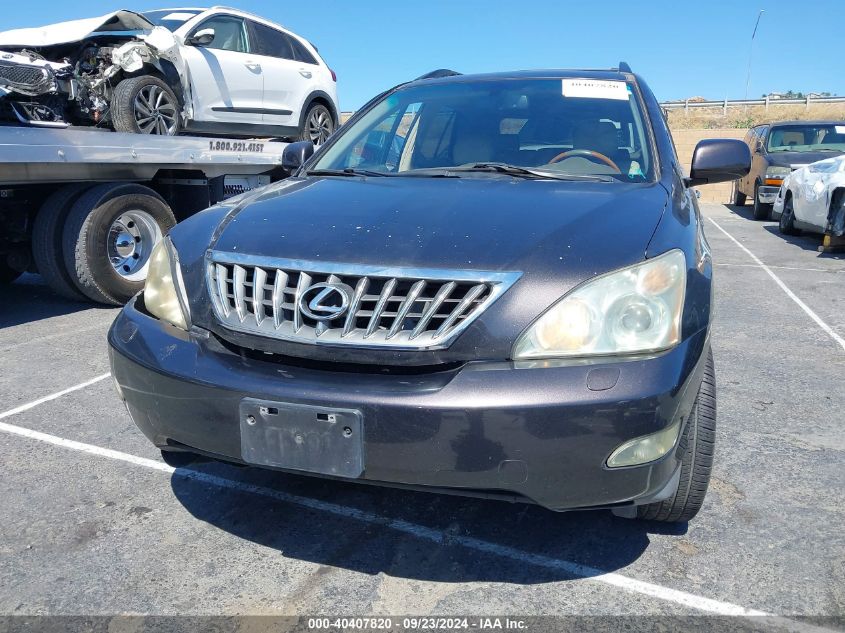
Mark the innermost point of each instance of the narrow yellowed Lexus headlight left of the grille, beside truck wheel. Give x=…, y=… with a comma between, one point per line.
x=162, y=292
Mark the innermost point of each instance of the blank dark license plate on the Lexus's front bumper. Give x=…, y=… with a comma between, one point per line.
x=302, y=437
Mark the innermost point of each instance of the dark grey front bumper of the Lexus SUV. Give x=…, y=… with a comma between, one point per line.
x=540, y=433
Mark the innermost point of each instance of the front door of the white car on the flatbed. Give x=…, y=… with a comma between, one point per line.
x=227, y=80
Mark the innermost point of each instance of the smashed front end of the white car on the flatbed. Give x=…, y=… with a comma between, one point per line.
x=66, y=74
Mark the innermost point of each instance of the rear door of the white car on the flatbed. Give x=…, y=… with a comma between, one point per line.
x=287, y=79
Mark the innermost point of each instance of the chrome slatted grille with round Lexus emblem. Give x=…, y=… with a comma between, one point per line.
x=372, y=306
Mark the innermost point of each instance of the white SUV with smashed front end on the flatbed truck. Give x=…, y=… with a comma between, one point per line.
x=206, y=71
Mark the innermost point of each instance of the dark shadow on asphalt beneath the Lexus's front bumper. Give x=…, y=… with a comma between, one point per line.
x=594, y=539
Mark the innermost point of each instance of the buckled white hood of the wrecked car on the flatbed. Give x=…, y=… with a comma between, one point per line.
x=74, y=30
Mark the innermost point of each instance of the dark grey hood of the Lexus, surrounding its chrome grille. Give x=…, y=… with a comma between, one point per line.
x=555, y=234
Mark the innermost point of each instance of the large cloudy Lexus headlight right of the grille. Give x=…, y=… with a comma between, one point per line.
x=633, y=310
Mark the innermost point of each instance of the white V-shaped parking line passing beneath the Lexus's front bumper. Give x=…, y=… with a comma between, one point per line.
x=419, y=531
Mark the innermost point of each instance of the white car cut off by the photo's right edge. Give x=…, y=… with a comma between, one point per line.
x=812, y=198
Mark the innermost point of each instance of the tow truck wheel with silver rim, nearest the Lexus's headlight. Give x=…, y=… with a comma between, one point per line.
x=108, y=237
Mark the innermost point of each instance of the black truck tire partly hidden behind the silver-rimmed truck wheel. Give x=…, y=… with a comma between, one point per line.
x=47, y=232
